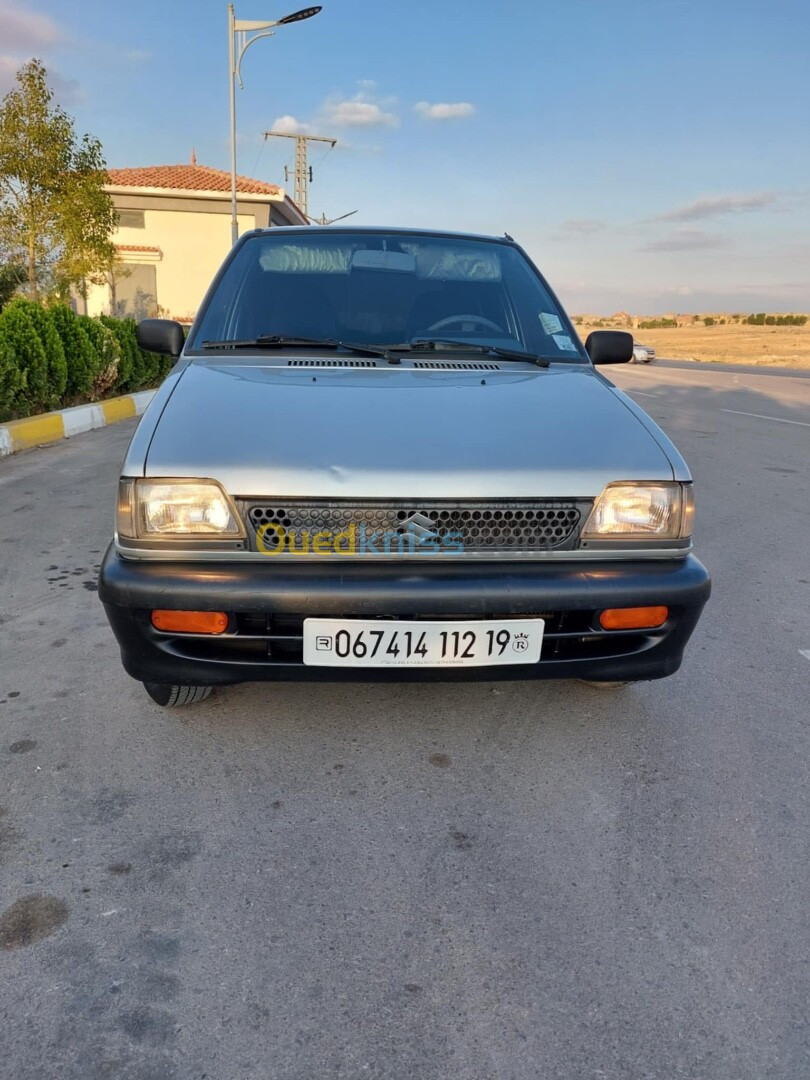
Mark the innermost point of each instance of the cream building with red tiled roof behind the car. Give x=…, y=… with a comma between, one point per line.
x=174, y=229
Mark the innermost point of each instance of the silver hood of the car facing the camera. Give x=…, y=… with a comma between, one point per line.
x=261, y=428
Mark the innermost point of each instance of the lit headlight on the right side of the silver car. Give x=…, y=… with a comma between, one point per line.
x=642, y=512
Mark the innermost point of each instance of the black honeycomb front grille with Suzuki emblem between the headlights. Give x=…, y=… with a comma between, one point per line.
x=413, y=529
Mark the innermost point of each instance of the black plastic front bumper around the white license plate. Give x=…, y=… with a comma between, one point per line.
x=267, y=604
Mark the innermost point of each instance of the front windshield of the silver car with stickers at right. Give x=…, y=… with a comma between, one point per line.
x=386, y=289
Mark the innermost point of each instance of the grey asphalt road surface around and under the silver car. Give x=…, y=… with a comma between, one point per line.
x=495, y=881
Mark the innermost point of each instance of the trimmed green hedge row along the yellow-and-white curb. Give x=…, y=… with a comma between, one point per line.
x=51, y=358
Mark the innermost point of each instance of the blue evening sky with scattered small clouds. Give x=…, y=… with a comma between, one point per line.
x=652, y=156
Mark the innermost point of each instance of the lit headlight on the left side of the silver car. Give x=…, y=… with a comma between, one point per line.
x=175, y=509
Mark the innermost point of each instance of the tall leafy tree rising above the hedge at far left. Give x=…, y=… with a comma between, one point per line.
x=56, y=218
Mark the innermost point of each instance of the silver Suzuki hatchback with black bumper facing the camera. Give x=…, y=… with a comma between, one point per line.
x=386, y=454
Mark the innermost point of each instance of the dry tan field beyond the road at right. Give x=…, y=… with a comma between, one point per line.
x=780, y=346
